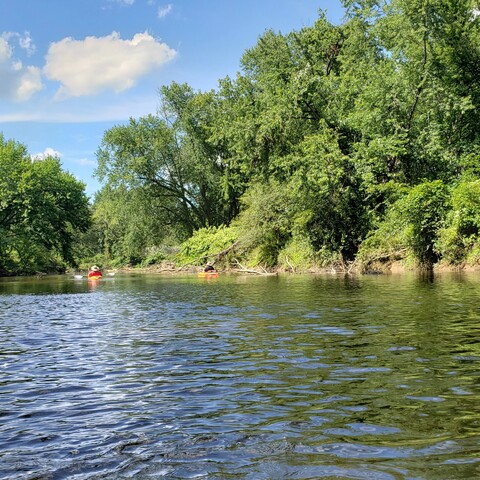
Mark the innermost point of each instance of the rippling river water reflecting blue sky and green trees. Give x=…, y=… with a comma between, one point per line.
x=288, y=377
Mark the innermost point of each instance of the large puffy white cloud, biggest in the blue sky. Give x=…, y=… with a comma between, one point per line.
x=86, y=67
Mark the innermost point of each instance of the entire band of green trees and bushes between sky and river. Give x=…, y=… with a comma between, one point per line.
x=349, y=148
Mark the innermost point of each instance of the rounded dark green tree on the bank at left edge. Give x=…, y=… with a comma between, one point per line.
x=42, y=209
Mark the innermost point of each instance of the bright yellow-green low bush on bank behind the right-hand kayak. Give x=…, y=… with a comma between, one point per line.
x=205, y=245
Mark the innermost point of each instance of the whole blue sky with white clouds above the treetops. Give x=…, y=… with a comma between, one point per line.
x=72, y=69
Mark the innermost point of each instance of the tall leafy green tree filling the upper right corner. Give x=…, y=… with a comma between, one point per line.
x=411, y=69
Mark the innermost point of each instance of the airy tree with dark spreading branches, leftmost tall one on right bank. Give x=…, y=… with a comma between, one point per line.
x=169, y=157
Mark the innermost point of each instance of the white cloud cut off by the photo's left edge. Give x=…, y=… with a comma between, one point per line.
x=18, y=83
